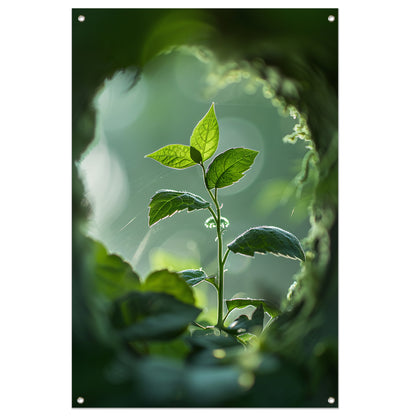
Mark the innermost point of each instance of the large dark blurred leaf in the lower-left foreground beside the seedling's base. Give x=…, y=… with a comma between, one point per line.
x=151, y=316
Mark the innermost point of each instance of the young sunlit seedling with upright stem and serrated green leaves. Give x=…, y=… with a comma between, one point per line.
x=226, y=169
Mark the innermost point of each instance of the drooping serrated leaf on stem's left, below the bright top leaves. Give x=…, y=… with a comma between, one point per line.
x=166, y=202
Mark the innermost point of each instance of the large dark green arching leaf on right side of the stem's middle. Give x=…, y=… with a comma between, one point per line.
x=268, y=239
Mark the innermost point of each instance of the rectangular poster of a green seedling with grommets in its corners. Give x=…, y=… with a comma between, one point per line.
x=204, y=208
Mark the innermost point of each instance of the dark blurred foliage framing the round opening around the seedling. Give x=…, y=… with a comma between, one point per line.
x=295, y=362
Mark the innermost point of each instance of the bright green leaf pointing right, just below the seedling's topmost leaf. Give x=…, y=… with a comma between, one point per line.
x=229, y=167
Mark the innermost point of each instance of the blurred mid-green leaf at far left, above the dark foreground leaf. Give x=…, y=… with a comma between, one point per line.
x=113, y=277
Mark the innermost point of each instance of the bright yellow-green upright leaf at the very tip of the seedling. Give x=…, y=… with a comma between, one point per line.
x=206, y=135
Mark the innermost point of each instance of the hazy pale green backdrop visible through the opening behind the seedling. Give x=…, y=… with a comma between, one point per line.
x=163, y=108
